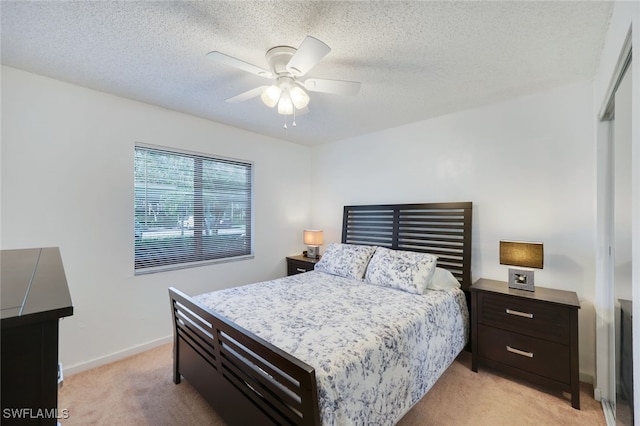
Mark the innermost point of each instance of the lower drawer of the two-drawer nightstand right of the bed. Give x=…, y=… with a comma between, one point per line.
x=541, y=357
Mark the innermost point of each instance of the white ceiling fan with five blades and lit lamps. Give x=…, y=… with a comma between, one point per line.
x=288, y=66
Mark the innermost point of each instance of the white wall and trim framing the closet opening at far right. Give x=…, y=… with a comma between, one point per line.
x=625, y=17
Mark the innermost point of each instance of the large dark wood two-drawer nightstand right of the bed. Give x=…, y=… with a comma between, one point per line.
x=531, y=335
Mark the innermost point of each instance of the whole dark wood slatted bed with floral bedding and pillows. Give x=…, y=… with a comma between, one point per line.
x=322, y=347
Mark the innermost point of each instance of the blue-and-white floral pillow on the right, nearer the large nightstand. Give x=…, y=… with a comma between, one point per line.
x=404, y=270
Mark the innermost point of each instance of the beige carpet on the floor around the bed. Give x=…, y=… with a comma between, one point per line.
x=139, y=391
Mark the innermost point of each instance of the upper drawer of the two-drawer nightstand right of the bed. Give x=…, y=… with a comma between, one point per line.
x=524, y=316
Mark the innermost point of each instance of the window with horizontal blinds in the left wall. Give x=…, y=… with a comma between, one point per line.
x=190, y=208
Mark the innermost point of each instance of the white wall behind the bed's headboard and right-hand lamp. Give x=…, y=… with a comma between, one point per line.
x=526, y=164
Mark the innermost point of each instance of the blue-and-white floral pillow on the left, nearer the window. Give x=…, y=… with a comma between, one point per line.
x=345, y=260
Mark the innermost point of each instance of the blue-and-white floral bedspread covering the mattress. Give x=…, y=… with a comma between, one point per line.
x=376, y=350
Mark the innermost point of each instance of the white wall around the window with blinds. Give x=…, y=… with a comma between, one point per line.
x=67, y=181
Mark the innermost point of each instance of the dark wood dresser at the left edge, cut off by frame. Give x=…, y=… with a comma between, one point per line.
x=34, y=297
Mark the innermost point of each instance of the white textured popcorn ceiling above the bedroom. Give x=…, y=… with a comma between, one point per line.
x=415, y=60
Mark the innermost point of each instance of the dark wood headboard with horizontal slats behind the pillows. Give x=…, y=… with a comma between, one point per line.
x=442, y=229
